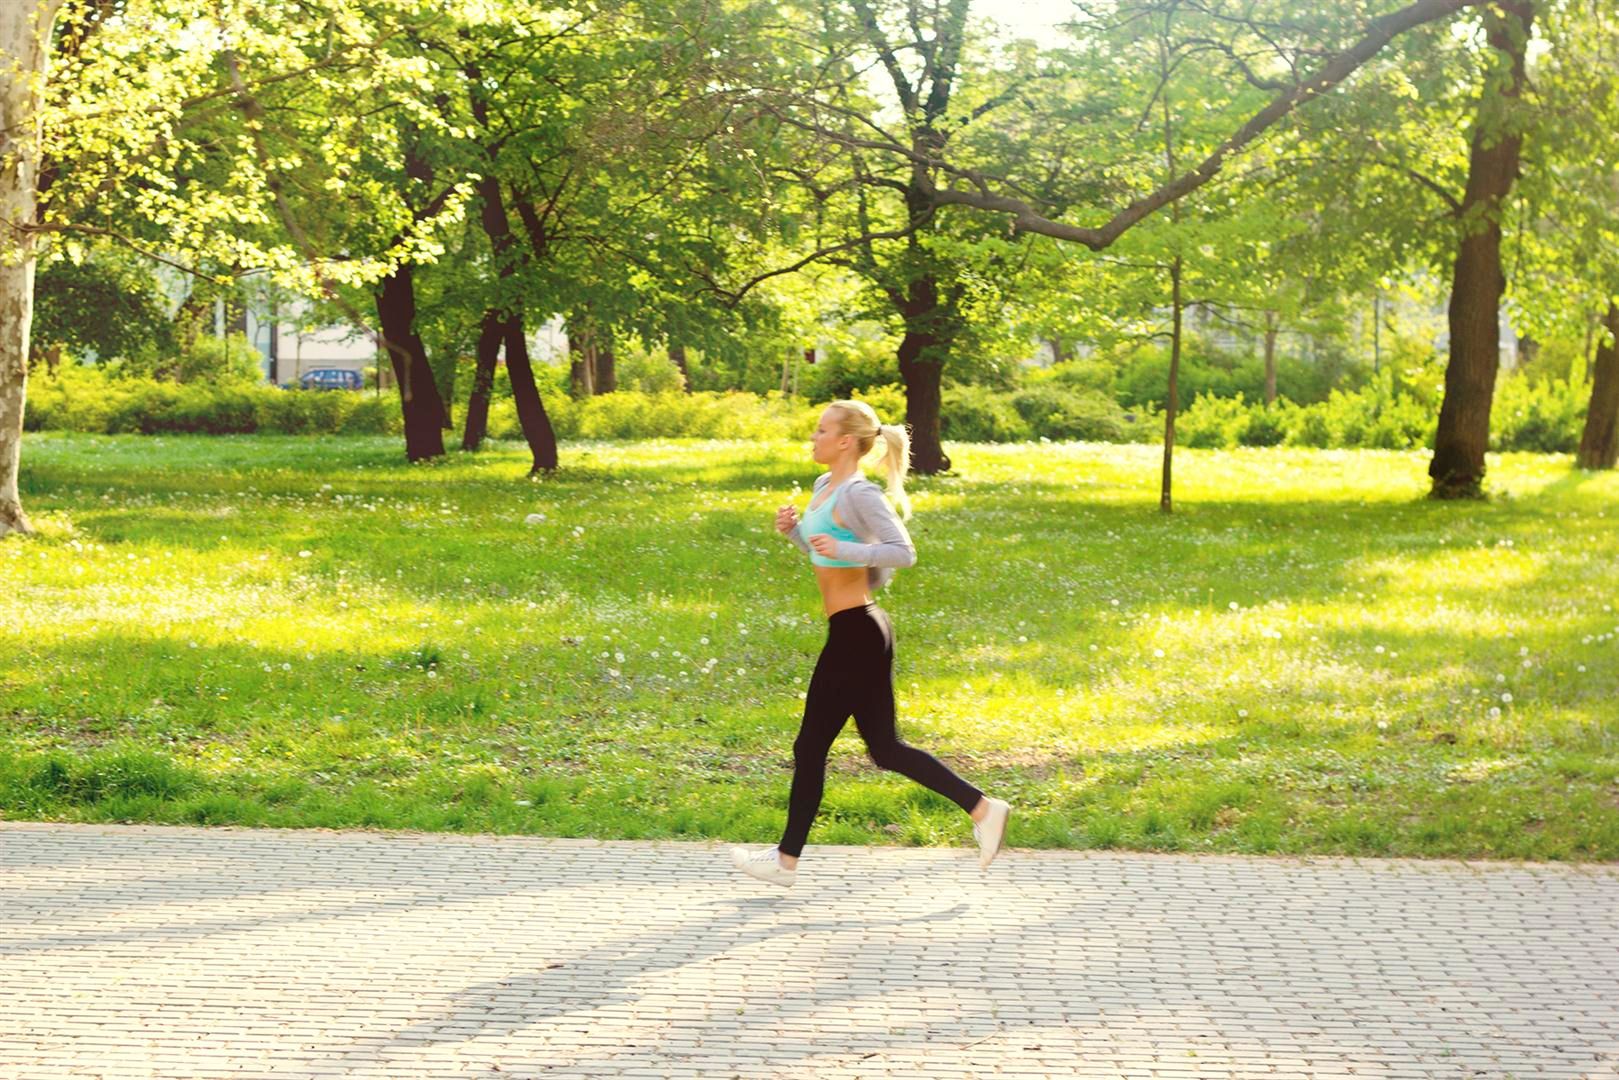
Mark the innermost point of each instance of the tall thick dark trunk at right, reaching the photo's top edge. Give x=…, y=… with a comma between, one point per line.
x=1458, y=466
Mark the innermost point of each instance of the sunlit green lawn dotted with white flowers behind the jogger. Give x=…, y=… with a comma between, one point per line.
x=1306, y=658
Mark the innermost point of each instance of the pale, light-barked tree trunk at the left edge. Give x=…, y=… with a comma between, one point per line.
x=25, y=33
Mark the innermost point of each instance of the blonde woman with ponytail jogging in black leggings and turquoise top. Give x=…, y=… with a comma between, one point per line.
x=856, y=542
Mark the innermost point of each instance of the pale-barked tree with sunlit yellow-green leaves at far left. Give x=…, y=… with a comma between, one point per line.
x=200, y=135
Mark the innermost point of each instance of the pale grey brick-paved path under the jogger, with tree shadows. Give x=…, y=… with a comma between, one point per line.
x=231, y=953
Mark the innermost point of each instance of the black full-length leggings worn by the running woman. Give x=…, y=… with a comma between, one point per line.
x=856, y=676
